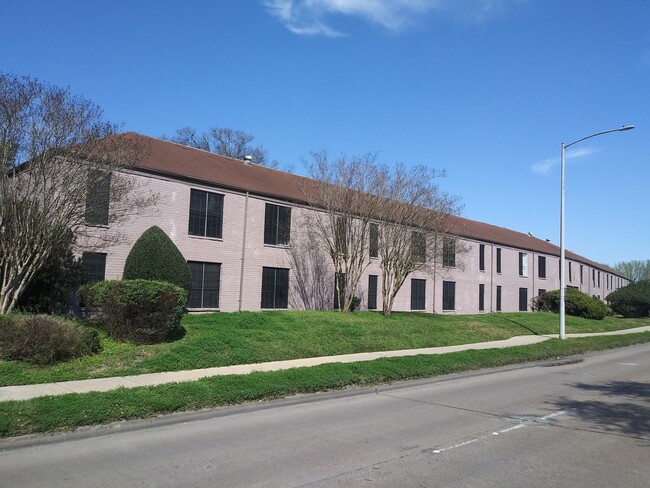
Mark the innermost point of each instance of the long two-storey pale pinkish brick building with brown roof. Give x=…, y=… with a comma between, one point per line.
x=234, y=221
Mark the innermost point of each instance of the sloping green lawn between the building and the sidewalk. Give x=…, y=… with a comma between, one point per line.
x=225, y=339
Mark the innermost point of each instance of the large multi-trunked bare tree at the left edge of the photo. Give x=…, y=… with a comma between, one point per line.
x=56, y=150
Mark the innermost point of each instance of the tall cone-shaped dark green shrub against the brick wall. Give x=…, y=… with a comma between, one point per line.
x=155, y=257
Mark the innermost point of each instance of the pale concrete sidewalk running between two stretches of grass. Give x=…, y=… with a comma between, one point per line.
x=26, y=392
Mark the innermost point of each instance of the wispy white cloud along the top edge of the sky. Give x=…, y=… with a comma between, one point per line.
x=315, y=17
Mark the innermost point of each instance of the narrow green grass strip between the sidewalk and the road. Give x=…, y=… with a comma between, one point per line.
x=60, y=413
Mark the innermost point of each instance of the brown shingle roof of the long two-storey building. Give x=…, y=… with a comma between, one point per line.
x=168, y=158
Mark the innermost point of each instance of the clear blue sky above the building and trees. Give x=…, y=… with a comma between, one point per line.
x=486, y=89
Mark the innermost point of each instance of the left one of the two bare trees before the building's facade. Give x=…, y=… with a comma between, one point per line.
x=343, y=200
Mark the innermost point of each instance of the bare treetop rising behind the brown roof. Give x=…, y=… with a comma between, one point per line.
x=227, y=142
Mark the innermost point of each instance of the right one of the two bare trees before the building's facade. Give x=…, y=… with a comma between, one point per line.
x=414, y=220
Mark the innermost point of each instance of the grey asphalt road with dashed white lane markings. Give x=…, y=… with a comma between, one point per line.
x=581, y=424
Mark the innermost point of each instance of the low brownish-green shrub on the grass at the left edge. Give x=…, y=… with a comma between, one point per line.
x=44, y=339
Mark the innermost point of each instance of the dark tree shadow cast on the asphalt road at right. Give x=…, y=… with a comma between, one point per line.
x=625, y=408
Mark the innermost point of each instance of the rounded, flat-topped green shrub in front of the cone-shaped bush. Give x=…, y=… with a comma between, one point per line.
x=142, y=311
